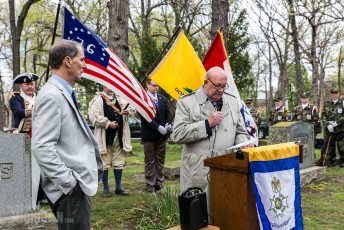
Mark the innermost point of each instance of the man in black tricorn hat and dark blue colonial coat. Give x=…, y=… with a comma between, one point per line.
x=22, y=103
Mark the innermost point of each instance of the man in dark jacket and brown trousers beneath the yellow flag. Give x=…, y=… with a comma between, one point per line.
x=154, y=137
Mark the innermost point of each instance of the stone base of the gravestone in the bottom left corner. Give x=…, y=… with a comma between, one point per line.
x=37, y=220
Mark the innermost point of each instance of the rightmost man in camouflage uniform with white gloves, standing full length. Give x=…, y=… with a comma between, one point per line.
x=333, y=120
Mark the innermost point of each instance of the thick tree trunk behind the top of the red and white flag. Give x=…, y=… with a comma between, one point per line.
x=219, y=18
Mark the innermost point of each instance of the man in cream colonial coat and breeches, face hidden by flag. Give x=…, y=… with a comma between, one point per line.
x=109, y=116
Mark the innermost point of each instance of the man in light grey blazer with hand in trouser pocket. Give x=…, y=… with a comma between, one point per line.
x=62, y=143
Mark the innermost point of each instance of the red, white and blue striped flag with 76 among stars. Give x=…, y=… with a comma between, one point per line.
x=105, y=68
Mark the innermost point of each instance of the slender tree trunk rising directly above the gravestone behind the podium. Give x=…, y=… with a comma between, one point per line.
x=296, y=48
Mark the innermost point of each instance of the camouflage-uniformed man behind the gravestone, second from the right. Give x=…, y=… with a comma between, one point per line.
x=306, y=112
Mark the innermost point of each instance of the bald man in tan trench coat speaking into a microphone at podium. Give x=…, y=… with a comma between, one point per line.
x=207, y=122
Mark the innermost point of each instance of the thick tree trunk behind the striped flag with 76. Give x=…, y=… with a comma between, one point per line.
x=118, y=28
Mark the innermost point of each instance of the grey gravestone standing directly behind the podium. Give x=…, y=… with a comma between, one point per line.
x=295, y=131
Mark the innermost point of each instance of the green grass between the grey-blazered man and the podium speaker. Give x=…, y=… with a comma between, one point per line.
x=140, y=210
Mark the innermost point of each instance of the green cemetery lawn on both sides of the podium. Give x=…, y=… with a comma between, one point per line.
x=322, y=202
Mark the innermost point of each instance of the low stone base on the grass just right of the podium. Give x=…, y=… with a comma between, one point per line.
x=312, y=174
